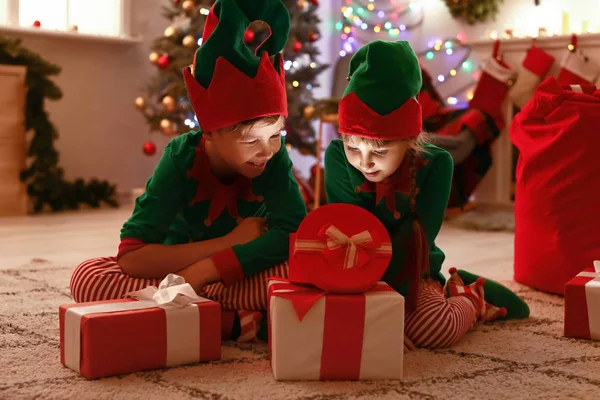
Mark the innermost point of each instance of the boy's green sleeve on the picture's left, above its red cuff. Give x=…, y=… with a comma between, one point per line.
x=155, y=209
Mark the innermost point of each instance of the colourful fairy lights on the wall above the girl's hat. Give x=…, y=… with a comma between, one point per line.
x=366, y=20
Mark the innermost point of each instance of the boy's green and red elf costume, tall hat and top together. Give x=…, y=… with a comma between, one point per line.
x=226, y=84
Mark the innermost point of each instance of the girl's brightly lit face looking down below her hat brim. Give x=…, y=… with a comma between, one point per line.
x=376, y=163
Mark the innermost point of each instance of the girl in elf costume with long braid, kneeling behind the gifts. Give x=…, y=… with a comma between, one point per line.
x=383, y=164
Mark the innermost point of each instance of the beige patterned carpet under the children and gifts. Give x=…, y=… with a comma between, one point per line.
x=515, y=360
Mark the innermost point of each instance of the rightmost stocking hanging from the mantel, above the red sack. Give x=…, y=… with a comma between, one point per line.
x=576, y=68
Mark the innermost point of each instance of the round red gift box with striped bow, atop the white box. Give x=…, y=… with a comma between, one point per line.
x=340, y=248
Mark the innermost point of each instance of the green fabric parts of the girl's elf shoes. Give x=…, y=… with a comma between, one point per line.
x=499, y=295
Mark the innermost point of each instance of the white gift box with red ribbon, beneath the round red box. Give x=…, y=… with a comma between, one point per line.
x=319, y=336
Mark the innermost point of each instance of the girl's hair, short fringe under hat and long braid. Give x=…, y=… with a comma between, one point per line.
x=417, y=264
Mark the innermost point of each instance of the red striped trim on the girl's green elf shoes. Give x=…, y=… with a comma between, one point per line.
x=475, y=292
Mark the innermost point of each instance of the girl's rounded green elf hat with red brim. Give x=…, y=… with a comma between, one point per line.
x=380, y=101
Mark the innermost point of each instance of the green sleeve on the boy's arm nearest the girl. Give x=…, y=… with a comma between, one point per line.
x=285, y=210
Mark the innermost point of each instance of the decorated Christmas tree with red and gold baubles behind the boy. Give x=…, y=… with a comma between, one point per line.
x=165, y=104
